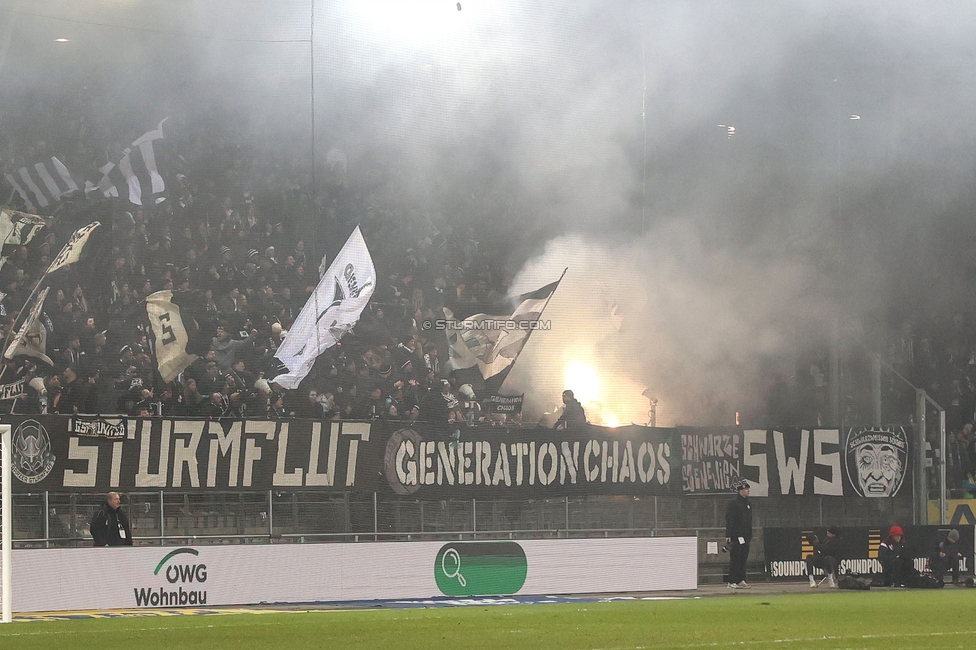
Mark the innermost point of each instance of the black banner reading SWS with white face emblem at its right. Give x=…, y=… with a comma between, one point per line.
x=867, y=462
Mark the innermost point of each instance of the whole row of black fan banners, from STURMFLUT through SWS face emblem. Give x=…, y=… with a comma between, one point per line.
x=393, y=458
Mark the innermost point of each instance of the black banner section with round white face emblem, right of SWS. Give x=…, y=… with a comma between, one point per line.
x=876, y=460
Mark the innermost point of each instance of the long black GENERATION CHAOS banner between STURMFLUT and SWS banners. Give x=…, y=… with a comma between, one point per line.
x=493, y=462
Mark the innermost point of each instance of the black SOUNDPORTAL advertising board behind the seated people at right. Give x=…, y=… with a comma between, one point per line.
x=786, y=548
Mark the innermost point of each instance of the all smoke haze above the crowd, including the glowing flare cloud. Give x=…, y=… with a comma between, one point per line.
x=594, y=136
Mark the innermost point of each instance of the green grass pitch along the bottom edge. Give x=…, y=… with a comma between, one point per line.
x=902, y=619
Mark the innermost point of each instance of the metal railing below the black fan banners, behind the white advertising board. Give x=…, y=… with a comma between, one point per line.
x=44, y=520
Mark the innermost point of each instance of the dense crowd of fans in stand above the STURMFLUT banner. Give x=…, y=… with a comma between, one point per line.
x=244, y=263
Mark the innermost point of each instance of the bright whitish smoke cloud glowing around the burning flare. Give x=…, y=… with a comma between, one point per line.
x=698, y=327
